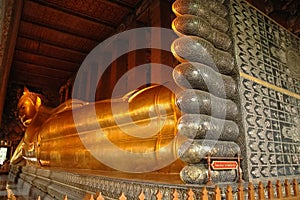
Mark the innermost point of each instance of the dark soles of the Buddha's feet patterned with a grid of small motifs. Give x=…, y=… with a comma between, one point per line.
x=267, y=56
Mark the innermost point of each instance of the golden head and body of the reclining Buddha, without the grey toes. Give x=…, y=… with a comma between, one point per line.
x=52, y=138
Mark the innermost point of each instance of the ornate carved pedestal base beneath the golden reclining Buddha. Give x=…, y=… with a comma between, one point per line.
x=51, y=184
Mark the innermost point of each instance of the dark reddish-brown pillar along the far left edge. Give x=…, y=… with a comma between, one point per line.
x=10, y=15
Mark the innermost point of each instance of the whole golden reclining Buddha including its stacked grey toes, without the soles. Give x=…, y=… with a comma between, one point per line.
x=162, y=128
